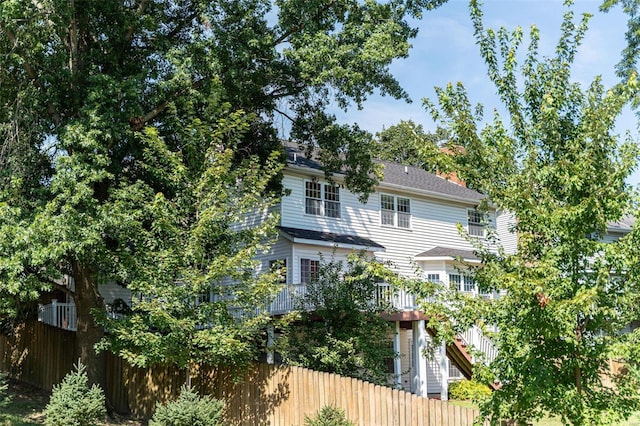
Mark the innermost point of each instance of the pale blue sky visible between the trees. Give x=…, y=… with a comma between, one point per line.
x=445, y=51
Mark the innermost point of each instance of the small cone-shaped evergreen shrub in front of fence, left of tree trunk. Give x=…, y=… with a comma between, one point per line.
x=73, y=403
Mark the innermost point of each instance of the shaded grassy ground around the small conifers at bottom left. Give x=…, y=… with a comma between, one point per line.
x=26, y=407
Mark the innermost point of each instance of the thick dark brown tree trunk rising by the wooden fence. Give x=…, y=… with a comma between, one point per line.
x=87, y=298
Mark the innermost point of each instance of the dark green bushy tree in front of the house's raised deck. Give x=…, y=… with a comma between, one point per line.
x=340, y=329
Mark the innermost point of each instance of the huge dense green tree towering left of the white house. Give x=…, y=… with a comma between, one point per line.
x=130, y=129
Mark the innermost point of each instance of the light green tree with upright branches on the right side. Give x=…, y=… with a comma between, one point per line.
x=556, y=163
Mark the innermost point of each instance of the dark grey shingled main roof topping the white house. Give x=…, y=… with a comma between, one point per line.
x=396, y=175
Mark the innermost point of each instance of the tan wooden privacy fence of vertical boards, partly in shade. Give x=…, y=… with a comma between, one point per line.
x=266, y=395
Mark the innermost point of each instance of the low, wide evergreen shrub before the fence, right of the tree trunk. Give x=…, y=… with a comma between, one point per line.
x=190, y=409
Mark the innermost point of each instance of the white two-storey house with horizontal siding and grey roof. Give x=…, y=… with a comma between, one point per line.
x=411, y=219
